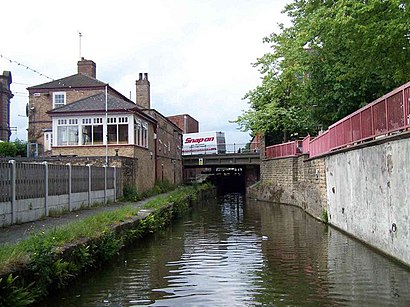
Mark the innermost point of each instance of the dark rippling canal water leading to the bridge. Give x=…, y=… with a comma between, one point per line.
x=234, y=251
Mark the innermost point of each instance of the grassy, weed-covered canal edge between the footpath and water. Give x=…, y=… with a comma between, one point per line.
x=49, y=260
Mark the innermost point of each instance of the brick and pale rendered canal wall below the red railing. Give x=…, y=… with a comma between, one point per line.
x=360, y=190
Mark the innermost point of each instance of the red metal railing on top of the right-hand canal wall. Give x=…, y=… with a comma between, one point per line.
x=385, y=115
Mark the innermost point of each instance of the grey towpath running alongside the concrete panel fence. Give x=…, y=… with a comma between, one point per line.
x=19, y=232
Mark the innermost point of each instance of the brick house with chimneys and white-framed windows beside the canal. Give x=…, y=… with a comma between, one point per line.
x=81, y=116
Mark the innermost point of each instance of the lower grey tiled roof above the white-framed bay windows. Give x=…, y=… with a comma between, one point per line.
x=95, y=103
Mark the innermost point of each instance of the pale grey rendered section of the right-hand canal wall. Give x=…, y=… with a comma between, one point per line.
x=369, y=195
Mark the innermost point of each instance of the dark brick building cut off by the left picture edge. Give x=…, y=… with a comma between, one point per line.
x=5, y=96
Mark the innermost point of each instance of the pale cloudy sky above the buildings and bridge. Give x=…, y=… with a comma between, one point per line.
x=198, y=53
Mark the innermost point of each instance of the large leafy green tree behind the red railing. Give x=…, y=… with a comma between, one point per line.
x=335, y=57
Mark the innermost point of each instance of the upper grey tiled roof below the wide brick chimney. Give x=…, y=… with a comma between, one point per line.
x=75, y=81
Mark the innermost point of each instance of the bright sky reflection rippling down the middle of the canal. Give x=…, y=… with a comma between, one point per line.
x=219, y=261
